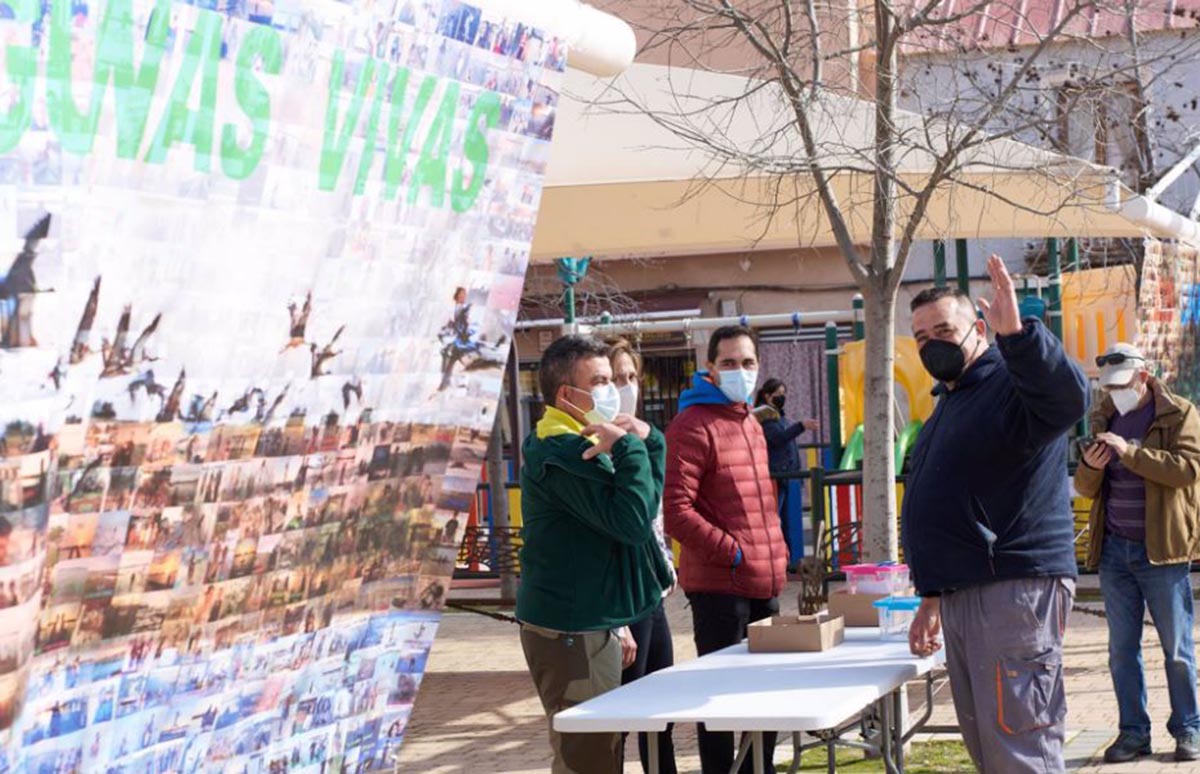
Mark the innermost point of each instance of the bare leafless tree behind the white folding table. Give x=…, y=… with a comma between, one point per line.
x=821, y=88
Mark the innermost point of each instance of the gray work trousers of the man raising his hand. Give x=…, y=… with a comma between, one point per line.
x=1004, y=653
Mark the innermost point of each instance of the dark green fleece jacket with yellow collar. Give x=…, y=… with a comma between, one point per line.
x=590, y=560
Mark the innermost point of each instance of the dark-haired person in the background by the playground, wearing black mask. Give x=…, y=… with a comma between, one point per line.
x=784, y=459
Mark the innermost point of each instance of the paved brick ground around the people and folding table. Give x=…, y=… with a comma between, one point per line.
x=477, y=711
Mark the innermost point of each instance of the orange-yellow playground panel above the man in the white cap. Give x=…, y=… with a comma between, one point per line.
x=1099, y=310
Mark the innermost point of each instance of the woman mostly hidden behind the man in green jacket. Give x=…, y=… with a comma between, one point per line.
x=653, y=633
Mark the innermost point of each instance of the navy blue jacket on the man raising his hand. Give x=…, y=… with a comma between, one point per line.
x=988, y=497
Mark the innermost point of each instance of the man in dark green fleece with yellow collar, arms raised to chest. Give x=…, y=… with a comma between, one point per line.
x=590, y=563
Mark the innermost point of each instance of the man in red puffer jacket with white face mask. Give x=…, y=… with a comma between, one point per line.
x=719, y=503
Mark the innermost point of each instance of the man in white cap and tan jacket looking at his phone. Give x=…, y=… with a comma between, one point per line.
x=1143, y=473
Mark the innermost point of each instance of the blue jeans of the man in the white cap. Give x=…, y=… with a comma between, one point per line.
x=1131, y=585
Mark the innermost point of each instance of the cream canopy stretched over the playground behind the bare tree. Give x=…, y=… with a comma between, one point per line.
x=622, y=184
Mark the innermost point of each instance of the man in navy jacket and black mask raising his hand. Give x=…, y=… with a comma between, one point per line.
x=987, y=525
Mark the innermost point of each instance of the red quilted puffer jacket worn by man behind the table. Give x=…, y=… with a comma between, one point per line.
x=718, y=499
